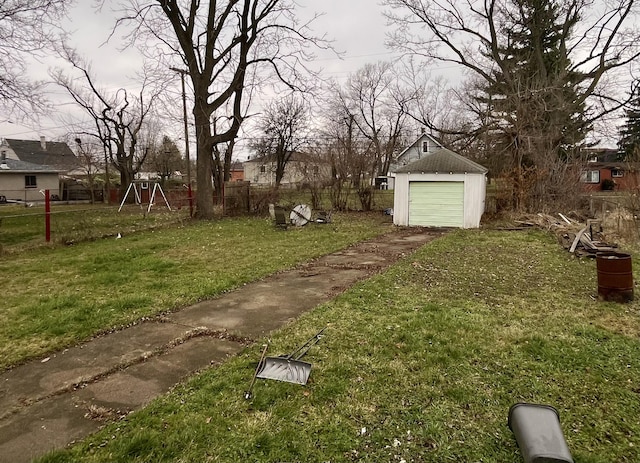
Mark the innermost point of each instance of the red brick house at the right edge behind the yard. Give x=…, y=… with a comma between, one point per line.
x=602, y=171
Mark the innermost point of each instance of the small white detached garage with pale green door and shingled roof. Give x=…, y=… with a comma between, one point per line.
x=443, y=189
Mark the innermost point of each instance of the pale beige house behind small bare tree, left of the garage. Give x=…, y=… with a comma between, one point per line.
x=301, y=168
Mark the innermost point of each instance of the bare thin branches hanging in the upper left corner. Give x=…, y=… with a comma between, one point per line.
x=27, y=29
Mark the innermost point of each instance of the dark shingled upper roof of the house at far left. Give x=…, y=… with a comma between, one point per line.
x=55, y=154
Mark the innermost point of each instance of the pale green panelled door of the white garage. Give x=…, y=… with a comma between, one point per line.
x=436, y=204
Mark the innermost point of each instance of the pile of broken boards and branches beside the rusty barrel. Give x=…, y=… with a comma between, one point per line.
x=578, y=237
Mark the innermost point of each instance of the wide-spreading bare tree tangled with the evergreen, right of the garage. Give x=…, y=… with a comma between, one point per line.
x=538, y=71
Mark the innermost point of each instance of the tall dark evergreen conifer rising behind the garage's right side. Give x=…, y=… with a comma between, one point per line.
x=534, y=119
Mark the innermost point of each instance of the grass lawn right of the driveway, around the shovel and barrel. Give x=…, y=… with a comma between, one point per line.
x=419, y=364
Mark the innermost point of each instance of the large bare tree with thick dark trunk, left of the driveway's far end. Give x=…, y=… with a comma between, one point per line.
x=221, y=44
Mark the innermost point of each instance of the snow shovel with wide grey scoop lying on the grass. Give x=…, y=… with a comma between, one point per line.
x=290, y=368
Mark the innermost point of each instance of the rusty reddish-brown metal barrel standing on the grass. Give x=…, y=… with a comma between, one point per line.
x=615, y=276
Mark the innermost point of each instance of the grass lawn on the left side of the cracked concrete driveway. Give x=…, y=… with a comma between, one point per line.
x=56, y=296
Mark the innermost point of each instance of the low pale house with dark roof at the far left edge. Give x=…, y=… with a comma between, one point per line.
x=30, y=166
